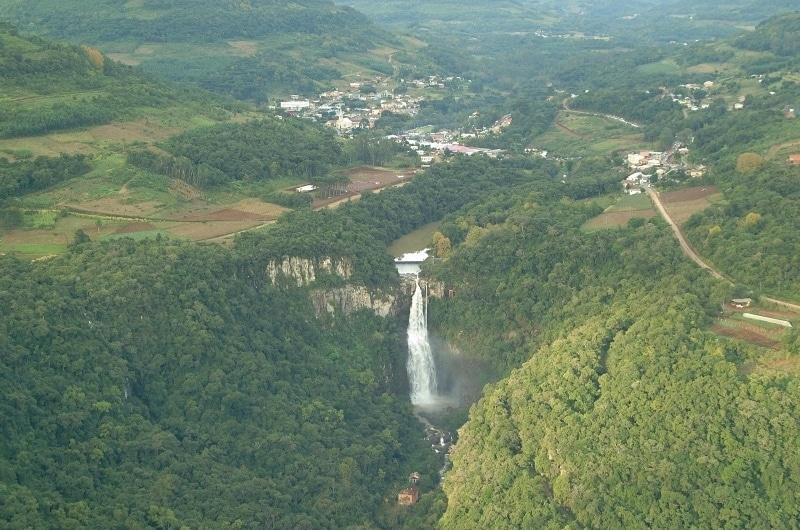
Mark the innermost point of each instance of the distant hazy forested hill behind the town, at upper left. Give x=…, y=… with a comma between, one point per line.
x=251, y=50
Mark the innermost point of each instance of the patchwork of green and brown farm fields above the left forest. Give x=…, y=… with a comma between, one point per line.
x=117, y=200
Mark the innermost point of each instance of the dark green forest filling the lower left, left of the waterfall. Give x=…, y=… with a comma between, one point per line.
x=147, y=387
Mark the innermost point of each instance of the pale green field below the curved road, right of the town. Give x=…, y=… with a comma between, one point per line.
x=576, y=134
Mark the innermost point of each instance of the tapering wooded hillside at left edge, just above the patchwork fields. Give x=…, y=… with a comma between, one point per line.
x=48, y=87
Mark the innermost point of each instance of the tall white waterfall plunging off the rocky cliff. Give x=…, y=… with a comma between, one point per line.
x=421, y=369
